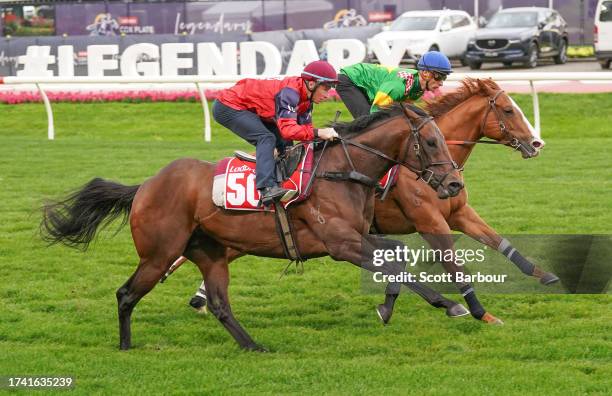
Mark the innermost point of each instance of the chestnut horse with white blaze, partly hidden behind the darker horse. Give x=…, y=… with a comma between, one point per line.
x=479, y=108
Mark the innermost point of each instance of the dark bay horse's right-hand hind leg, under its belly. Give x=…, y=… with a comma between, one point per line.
x=211, y=259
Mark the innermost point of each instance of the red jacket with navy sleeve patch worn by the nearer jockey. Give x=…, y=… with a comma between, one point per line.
x=284, y=101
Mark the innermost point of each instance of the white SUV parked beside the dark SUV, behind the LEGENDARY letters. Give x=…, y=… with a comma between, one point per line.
x=447, y=31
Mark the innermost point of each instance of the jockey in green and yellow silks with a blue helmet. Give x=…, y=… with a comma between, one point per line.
x=366, y=87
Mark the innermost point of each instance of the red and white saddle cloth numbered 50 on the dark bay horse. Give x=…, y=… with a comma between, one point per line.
x=234, y=183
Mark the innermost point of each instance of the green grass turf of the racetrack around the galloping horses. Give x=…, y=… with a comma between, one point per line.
x=58, y=308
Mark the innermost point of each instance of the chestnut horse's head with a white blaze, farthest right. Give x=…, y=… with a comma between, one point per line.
x=504, y=121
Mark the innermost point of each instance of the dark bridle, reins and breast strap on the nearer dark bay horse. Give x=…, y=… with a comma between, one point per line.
x=425, y=172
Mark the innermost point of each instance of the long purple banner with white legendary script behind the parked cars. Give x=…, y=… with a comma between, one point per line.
x=217, y=18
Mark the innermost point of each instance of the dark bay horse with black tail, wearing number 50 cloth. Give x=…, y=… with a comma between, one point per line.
x=173, y=213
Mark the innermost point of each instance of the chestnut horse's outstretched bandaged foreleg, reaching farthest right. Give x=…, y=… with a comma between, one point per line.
x=470, y=223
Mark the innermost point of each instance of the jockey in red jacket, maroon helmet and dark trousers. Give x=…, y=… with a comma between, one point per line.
x=269, y=112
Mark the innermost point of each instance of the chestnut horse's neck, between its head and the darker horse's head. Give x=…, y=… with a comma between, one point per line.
x=463, y=122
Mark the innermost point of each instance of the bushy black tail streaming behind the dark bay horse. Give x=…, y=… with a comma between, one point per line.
x=74, y=220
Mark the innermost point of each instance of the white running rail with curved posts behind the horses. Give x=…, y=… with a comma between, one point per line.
x=200, y=82
